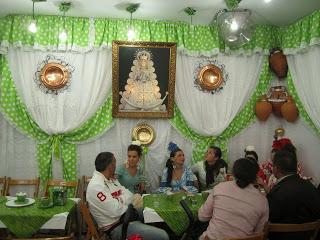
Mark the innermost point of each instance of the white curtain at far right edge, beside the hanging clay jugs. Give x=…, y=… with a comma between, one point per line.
x=305, y=71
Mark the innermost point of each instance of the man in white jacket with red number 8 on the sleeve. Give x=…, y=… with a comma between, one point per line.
x=108, y=201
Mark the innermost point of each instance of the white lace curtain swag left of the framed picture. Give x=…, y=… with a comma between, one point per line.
x=90, y=84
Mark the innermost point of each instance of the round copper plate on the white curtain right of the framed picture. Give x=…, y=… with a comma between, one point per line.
x=210, y=77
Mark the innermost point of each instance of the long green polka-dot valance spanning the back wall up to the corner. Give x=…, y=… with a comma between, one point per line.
x=85, y=33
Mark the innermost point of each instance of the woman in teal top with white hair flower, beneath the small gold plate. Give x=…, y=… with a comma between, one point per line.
x=130, y=175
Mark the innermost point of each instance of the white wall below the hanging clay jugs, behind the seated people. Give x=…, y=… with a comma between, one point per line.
x=260, y=134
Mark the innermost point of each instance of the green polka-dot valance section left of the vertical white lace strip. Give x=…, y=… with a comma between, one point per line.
x=14, y=32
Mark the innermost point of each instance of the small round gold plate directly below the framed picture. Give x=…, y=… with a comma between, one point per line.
x=143, y=133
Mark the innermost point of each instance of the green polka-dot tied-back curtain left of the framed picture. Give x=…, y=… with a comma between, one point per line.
x=62, y=146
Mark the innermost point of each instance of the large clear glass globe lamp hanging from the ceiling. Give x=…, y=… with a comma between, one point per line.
x=235, y=26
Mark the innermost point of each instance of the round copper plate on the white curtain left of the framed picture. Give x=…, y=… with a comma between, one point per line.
x=54, y=75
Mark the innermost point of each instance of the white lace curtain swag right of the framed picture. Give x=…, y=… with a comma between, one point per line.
x=209, y=114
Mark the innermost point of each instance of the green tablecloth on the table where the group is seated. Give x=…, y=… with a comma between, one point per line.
x=171, y=211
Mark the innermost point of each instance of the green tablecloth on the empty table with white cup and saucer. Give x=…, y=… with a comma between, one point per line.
x=26, y=221
